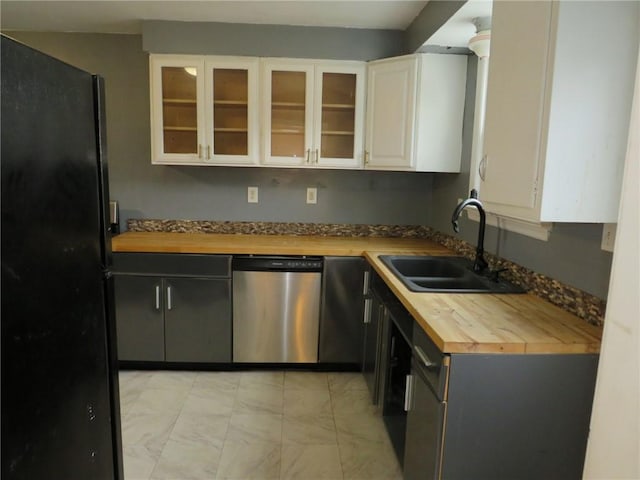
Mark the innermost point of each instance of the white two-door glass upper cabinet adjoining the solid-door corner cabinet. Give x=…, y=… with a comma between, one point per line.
x=313, y=113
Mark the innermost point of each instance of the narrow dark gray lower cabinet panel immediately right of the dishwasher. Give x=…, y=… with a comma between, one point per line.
x=342, y=305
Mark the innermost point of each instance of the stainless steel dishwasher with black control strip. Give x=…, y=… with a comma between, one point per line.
x=276, y=309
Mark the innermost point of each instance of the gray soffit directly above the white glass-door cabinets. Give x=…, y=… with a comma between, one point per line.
x=213, y=38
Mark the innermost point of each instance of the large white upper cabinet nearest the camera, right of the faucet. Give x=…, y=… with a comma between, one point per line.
x=558, y=109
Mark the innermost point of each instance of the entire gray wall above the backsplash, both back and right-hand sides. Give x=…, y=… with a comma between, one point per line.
x=572, y=254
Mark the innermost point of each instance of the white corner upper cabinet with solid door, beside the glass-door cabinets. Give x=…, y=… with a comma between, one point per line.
x=415, y=109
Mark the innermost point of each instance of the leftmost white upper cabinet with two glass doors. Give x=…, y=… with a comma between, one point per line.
x=204, y=110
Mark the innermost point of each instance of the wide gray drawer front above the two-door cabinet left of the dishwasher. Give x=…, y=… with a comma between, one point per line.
x=173, y=264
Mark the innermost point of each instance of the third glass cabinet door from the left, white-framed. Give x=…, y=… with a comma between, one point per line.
x=289, y=115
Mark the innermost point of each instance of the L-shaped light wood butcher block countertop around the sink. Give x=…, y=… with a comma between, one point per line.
x=457, y=323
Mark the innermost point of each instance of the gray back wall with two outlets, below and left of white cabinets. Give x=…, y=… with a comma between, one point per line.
x=218, y=193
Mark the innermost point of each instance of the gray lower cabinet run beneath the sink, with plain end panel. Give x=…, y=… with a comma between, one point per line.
x=471, y=415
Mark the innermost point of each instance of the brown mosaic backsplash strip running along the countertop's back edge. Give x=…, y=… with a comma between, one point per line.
x=582, y=304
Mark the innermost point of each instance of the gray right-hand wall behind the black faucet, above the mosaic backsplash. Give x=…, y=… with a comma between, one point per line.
x=572, y=254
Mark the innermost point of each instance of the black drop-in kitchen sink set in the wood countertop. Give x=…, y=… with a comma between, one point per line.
x=443, y=274
